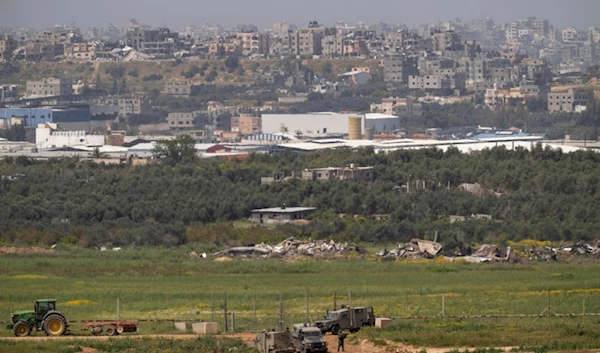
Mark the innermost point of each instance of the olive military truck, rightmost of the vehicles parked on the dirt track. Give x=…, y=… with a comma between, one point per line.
x=346, y=318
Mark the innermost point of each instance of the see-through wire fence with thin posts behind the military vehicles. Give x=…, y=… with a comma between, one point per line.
x=256, y=313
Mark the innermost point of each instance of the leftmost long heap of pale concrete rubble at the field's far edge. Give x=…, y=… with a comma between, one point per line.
x=291, y=248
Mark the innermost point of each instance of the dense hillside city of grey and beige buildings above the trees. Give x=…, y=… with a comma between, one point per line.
x=480, y=62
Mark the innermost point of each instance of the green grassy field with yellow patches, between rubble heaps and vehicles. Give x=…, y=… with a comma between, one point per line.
x=167, y=284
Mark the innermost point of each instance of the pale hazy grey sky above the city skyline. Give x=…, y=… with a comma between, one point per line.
x=177, y=13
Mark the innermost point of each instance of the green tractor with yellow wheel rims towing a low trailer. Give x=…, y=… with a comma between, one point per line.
x=43, y=317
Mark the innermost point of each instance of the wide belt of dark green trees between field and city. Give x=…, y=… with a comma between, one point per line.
x=539, y=194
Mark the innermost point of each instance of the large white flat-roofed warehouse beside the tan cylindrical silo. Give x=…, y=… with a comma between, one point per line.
x=308, y=124
